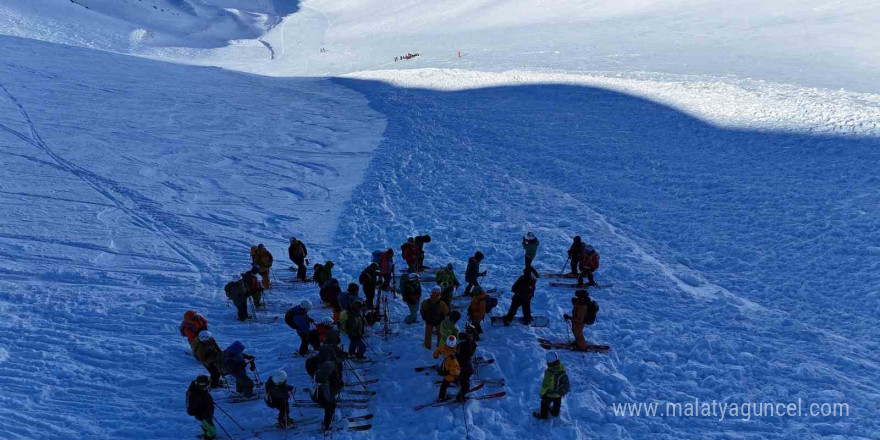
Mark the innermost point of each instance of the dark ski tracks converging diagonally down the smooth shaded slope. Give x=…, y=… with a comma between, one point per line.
x=95, y=182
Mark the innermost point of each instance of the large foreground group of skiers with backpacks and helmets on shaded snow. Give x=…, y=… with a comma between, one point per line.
x=351, y=316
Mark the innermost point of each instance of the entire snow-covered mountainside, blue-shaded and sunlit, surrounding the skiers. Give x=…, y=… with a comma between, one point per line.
x=721, y=156
